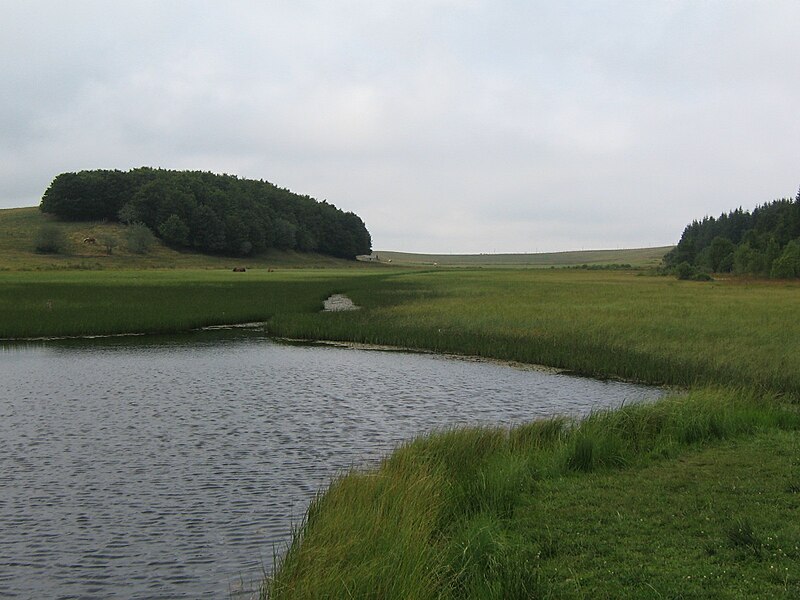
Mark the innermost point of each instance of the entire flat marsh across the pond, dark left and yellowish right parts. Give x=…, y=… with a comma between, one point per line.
x=648, y=329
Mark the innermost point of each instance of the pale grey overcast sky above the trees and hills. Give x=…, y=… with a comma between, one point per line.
x=459, y=126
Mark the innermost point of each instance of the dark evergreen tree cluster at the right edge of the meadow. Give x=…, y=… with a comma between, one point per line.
x=764, y=242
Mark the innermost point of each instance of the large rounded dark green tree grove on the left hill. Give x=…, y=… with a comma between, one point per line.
x=208, y=212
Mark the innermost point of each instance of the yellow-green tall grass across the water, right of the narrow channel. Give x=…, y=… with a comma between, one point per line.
x=649, y=329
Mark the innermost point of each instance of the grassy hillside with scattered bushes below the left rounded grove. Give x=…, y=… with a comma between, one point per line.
x=20, y=226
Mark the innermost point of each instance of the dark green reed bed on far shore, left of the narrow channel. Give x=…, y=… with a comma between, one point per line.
x=96, y=303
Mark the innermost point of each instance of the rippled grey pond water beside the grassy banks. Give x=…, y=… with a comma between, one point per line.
x=143, y=467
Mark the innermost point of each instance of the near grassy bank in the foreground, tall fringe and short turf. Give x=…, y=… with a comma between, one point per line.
x=549, y=510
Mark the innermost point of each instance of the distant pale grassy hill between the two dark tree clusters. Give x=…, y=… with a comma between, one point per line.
x=637, y=257
